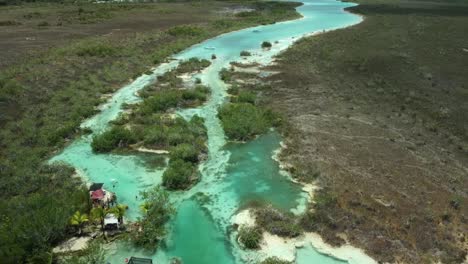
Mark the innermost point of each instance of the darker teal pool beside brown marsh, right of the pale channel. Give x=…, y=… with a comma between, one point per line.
x=253, y=176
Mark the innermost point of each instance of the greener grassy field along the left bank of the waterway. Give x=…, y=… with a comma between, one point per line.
x=59, y=62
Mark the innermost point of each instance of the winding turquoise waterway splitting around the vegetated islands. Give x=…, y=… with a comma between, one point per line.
x=233, y=174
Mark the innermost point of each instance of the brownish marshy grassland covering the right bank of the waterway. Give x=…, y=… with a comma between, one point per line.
x=378, y=118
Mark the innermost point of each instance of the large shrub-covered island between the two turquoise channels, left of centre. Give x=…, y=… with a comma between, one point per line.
x=151, y=125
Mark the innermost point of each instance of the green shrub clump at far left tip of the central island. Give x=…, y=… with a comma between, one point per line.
x=114, y=138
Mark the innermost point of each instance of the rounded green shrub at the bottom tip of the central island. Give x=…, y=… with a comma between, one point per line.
x=179, y=175
